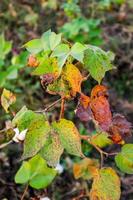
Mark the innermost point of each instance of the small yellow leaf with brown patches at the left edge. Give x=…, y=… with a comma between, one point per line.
x=7, y=99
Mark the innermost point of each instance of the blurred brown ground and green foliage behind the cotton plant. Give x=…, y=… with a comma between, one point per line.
x=104, y=23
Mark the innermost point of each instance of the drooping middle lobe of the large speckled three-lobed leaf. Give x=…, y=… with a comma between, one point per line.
x=52, y=150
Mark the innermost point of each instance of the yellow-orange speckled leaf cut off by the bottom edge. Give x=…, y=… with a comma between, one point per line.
x=106, y=185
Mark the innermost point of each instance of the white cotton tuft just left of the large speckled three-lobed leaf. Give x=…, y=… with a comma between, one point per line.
x=19, y=136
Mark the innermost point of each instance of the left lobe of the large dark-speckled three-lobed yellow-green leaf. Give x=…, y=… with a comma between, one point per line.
x=36, y=136
